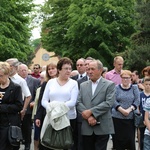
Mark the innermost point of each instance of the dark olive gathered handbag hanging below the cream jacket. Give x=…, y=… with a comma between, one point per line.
x=61, y=139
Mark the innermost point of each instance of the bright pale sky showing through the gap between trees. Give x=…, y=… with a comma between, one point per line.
x=36, y=31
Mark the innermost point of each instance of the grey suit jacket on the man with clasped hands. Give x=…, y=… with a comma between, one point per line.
x=100, y=104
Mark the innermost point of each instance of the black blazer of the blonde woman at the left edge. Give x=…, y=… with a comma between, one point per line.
x=11, y=104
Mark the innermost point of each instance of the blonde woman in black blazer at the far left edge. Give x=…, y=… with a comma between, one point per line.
x=11, y=104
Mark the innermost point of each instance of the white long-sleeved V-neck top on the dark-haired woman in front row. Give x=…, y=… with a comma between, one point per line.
x=67, y=93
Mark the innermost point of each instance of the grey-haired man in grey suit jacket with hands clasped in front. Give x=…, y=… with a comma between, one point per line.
x=95, y=100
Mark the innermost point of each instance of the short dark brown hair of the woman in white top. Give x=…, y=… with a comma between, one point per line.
x=62, y=61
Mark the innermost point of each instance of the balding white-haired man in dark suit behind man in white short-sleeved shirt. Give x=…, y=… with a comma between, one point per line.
x=33, y=84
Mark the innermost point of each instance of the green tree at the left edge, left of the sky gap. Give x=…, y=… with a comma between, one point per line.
x=14, y=29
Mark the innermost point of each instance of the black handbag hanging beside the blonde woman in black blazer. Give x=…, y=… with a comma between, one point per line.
x=14, y=135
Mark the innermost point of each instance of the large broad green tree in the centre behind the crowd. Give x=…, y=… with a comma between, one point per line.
x=80, y=28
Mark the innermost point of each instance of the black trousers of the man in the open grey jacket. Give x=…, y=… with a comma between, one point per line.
x=95, y=142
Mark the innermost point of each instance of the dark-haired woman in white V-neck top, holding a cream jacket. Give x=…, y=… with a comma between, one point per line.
x=63, y=89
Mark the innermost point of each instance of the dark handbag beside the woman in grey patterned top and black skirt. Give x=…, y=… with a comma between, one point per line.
x=138, y=120
